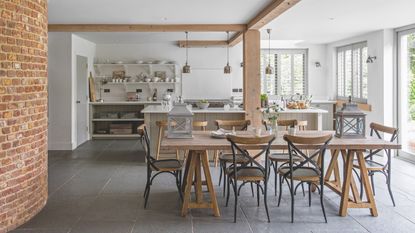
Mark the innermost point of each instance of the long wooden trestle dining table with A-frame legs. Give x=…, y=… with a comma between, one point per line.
x=351, y=150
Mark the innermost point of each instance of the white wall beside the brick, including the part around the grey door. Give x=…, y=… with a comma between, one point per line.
x=62, y=51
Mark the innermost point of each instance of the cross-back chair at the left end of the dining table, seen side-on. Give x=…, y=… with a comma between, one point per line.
x=170, y=166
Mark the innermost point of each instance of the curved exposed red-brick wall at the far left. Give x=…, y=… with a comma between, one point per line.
x=23, y=110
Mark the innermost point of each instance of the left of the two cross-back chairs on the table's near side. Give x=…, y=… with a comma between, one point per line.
x=252, y=172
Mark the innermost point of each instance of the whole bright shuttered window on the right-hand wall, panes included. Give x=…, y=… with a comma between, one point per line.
x=352, y=72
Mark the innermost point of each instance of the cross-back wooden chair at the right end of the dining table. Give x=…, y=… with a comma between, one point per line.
x=377, y=167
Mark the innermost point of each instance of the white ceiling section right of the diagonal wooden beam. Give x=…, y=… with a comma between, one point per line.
x=324, y=21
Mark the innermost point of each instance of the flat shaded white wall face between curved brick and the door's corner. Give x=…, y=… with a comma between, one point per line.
x=59, y=97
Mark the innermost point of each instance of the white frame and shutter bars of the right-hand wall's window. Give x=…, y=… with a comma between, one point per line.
x=358, y=45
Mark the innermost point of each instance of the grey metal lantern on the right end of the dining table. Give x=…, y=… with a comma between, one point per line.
x=350, y=121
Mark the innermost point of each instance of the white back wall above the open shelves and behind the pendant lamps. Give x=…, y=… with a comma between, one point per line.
x=210, y=59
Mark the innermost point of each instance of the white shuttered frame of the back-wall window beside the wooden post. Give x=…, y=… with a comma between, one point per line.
x=277, y=90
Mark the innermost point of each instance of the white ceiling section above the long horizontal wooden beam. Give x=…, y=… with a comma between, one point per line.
x=154, y=11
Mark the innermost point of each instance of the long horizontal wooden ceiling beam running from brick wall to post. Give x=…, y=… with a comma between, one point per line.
x=146, y=27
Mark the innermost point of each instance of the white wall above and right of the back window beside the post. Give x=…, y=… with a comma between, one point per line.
x=317, y=81
